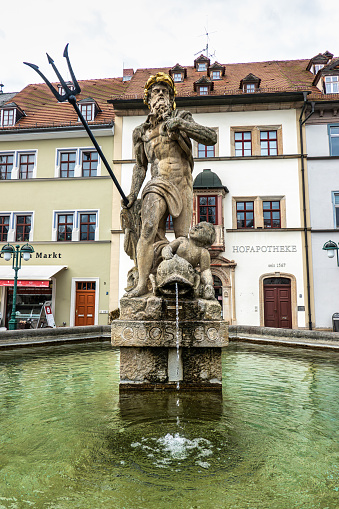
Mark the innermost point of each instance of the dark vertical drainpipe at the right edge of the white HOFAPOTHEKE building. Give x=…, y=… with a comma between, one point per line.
x=301, y=123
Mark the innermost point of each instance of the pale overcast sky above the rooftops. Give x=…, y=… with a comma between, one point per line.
x=105, y=36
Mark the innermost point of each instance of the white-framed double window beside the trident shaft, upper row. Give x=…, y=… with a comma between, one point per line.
x=77, y=162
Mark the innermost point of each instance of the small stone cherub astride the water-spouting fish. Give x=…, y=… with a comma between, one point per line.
x=195, y=250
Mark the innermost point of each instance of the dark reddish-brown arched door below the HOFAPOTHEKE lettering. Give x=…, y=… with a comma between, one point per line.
x=277, y=302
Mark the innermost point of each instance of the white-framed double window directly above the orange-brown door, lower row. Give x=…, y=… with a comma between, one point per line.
x=75, y=225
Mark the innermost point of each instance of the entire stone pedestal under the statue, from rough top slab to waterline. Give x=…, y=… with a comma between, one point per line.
x=156, y=352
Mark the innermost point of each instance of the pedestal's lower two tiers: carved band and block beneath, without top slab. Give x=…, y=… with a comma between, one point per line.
x=150, y=359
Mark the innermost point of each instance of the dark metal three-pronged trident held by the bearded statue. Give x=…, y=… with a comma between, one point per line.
x=69, y=96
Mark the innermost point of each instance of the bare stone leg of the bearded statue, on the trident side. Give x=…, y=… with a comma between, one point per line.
x=153, y=209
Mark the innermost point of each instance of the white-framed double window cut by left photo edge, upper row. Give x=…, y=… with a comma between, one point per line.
x=18, y=165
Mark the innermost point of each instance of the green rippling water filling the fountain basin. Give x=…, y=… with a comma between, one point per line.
x=68, y=442
